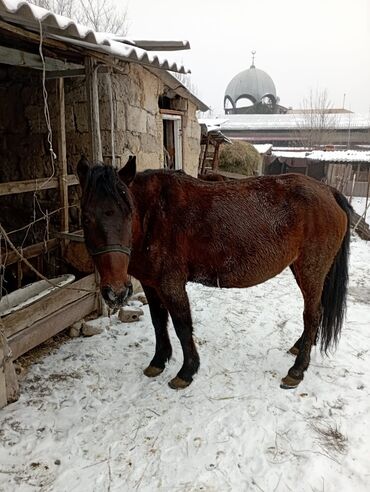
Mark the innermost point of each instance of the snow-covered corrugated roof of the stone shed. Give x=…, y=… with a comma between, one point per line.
x=29, y=16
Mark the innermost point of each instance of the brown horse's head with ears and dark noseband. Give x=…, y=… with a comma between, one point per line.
x=107, y=209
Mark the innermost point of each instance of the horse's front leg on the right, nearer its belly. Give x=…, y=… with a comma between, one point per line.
x=177, y=303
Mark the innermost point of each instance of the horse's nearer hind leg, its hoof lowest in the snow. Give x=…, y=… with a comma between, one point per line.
x=310, y=281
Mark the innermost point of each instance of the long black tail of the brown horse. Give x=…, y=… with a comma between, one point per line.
x=333, y=298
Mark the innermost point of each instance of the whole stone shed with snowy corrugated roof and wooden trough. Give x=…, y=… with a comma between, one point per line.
x=65, y=91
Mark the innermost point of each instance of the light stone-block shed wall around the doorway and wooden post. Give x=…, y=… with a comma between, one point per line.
x=138, y=127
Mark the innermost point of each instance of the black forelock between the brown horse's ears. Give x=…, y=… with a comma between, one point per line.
x=103, y=180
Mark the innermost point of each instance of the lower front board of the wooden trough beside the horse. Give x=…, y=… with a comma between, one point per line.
x=45, y=328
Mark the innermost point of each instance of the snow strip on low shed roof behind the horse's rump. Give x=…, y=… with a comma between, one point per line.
x=326, y=155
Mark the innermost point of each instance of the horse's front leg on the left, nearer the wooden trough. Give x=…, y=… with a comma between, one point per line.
x=163, y=349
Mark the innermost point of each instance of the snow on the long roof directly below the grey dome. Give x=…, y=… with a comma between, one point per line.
x=288, y=121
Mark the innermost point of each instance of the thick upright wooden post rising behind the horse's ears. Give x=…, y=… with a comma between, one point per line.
x=93, y=109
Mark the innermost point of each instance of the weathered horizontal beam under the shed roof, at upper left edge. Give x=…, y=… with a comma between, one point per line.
x=19, y=58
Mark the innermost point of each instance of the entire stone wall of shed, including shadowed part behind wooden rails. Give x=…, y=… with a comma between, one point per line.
x=138, y=130
